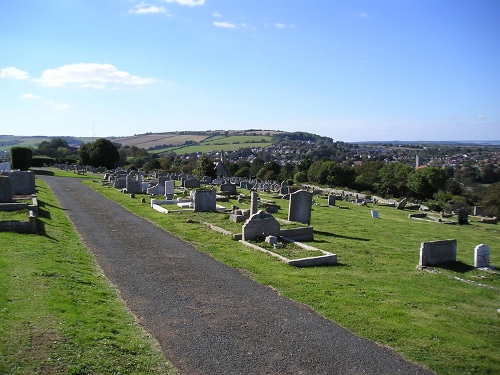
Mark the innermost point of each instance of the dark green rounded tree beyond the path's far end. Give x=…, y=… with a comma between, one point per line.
x=101, y=153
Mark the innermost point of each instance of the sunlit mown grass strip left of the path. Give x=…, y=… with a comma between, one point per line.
x=59, y=314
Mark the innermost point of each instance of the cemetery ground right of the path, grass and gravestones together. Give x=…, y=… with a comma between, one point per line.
x=373, y=248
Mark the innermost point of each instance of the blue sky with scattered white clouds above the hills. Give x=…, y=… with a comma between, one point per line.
x=351, y=70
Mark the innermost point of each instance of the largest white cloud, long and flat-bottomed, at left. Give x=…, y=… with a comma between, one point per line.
x=96, y=76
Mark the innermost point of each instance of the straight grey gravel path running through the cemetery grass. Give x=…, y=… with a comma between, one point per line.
x=207, y=317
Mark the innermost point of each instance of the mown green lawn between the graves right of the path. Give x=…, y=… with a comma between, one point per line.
x=444, y=318
